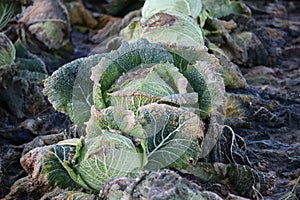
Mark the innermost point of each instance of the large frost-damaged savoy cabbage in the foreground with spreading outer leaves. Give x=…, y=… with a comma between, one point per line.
x=146, y=108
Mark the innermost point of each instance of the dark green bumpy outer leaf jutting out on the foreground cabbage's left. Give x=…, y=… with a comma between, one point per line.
x=69, y=91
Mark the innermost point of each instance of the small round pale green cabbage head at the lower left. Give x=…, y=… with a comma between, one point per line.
x=103, y=157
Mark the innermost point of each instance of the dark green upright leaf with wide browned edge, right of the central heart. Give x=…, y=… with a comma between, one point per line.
x=202, y=71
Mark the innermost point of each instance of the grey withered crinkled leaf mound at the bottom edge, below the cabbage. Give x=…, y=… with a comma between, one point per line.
x=166, y=184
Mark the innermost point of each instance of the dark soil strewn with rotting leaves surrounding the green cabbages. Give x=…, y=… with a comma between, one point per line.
x=262, y=82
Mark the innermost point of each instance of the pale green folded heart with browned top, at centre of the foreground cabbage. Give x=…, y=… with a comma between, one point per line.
x=148, y=85
